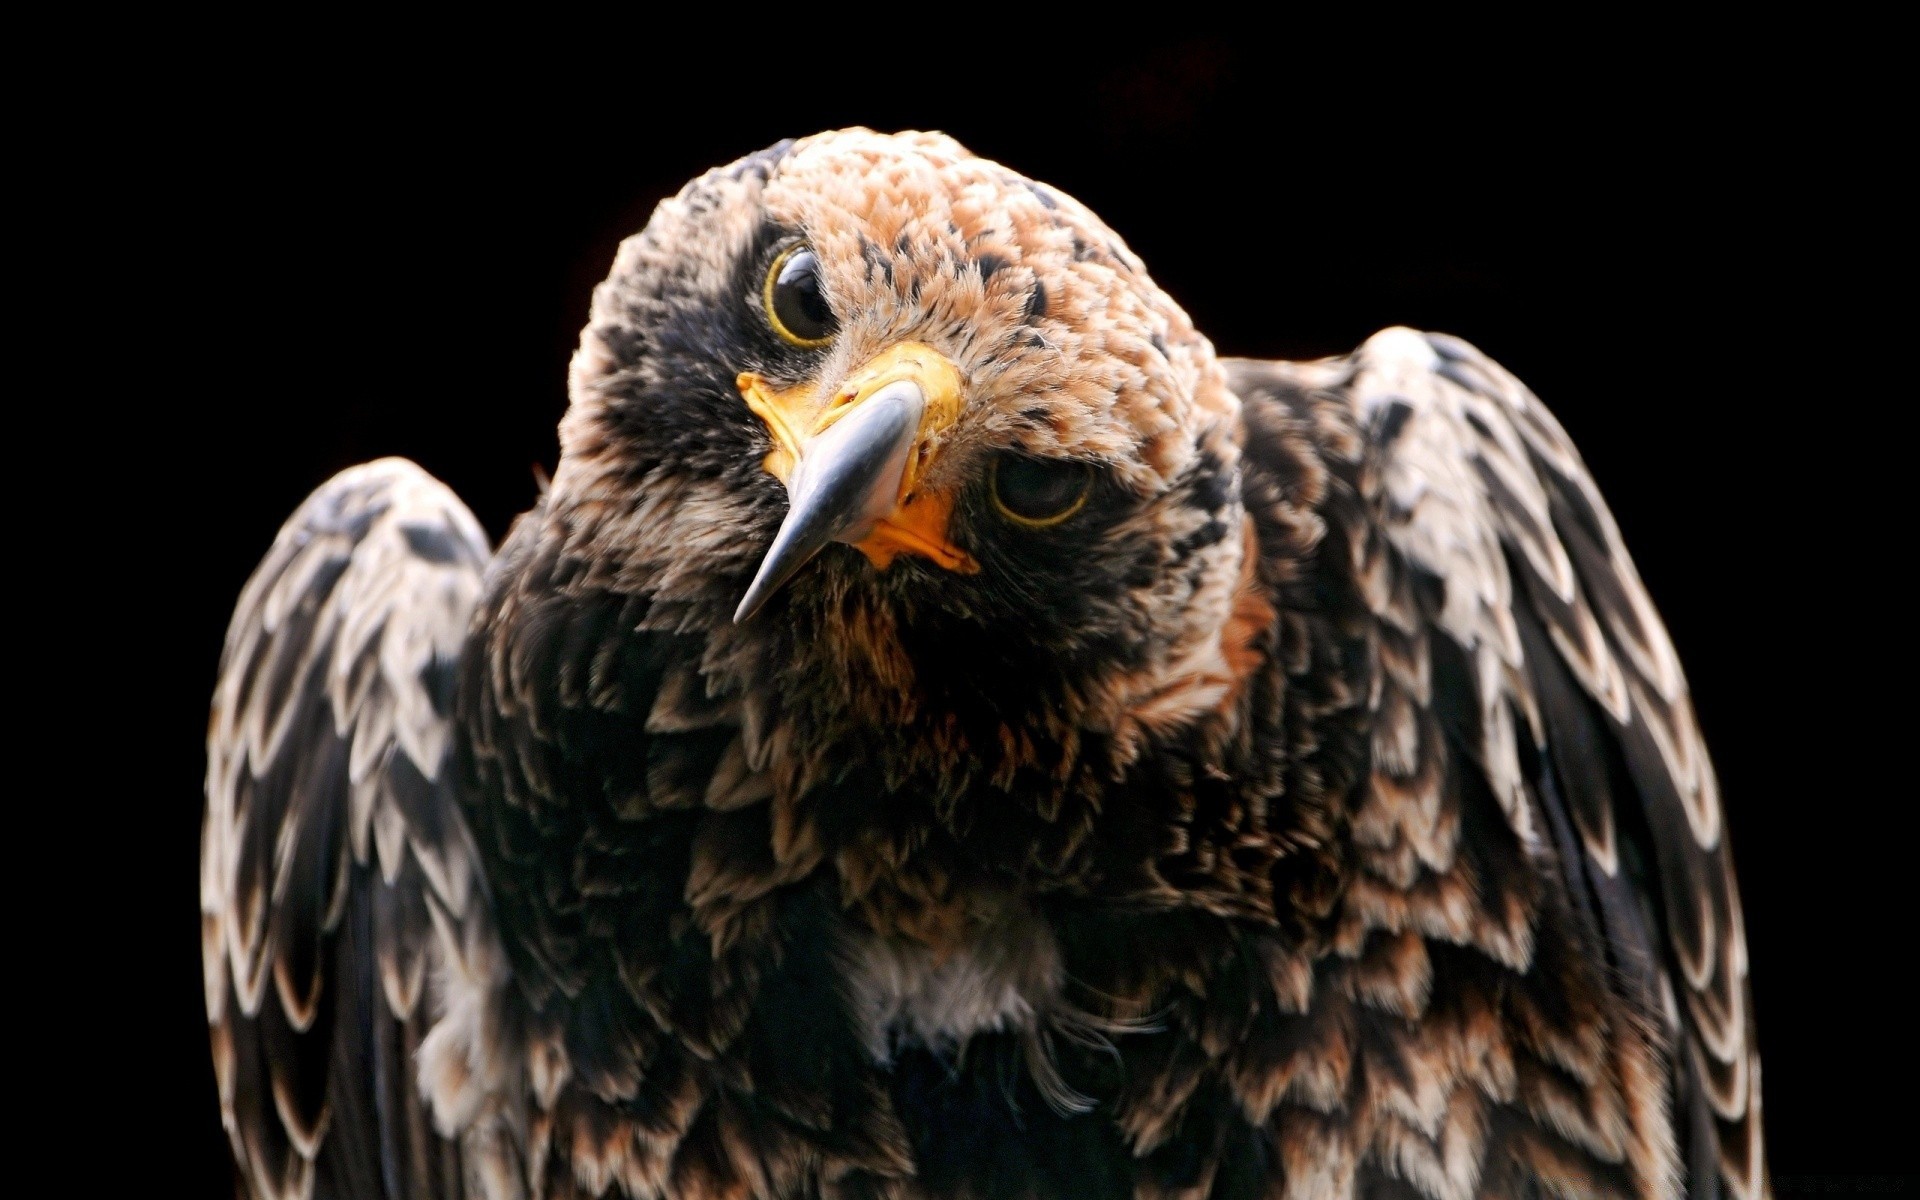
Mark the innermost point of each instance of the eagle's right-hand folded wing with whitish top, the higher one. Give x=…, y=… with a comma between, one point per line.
x=1583, y=731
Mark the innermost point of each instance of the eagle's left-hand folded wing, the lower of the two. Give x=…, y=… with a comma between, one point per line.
x=335, y=867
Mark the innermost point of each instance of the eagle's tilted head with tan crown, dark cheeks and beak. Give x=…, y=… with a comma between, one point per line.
x=944, y=481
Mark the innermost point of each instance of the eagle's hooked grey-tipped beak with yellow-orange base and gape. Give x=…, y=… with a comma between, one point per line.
x=852, y=466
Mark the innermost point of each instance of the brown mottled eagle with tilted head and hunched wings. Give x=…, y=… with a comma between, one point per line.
x=946, y=734
